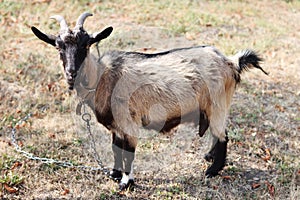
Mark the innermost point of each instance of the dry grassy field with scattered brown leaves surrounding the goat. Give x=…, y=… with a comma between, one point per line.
x=264, y=123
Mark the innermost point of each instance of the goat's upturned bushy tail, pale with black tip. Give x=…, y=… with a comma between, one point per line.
x=247, y=59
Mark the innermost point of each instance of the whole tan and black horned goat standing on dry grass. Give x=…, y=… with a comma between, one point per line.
x=129, y=91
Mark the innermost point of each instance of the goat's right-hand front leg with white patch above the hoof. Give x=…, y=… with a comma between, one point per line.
x=130, y=143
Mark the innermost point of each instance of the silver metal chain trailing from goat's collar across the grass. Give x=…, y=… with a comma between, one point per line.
x=87, y=118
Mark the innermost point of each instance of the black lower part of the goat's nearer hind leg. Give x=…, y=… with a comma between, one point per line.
x=220, y=151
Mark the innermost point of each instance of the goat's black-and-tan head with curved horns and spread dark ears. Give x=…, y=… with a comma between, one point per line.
x=73, y=45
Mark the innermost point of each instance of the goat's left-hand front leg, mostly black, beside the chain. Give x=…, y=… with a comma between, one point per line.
x=117, y=147
